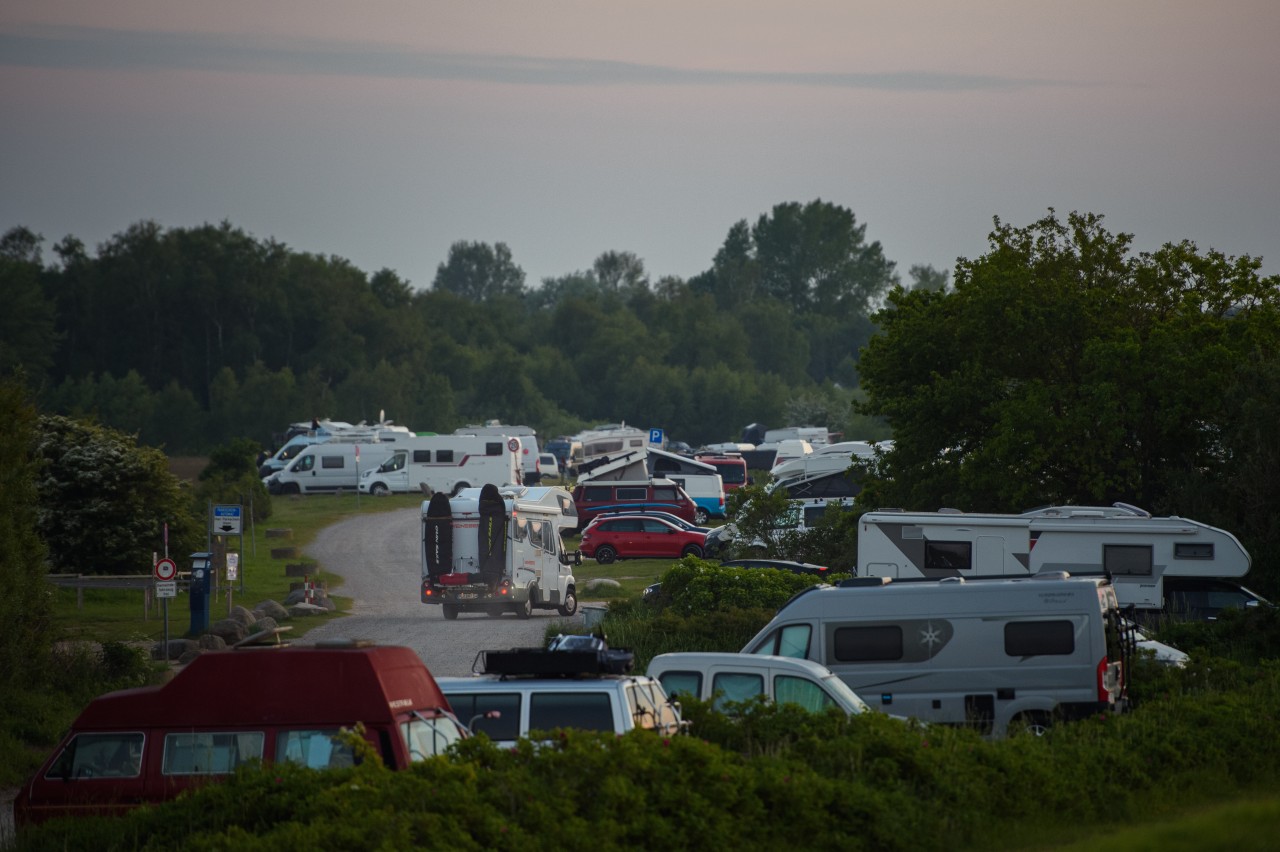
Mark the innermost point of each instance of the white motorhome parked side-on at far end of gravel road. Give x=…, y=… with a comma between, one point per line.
x=447, y=464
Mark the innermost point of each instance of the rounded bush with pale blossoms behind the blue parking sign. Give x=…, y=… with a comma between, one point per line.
x=104, y=501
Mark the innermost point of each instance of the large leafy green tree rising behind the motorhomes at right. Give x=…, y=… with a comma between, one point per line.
x=1063, y=369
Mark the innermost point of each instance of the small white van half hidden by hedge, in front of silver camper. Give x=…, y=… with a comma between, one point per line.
x=728, y=679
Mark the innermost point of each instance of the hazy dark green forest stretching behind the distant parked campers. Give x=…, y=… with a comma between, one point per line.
x=193, y=337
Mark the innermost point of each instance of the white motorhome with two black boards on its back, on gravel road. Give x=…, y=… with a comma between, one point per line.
x=490, y=551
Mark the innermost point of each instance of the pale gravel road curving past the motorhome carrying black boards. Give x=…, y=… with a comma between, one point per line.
x=380, y=560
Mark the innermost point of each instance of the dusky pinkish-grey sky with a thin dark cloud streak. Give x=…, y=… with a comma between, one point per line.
x=386, y=131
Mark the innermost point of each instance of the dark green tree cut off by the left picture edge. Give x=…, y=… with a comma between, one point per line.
x=25, y=596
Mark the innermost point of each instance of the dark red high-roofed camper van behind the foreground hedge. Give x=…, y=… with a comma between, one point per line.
x=228, y=708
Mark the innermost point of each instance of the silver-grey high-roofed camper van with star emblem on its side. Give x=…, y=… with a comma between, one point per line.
x=993, y=654
